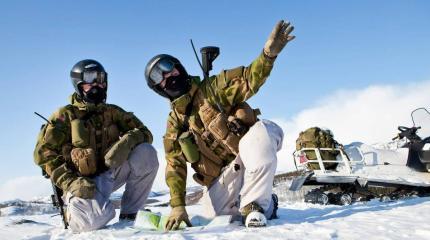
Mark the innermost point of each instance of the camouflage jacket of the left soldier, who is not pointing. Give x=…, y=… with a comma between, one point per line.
x=106, y=123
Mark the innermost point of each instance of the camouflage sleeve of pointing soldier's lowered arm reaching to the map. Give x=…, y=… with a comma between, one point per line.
x=176, y=167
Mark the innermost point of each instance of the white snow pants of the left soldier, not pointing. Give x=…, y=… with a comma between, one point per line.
x=137, y=173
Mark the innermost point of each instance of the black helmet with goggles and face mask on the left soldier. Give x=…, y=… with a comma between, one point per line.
x=89, y=71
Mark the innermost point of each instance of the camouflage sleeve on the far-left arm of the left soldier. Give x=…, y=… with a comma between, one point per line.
x=48, y=154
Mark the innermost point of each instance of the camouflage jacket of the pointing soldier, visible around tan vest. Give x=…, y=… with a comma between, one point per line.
x=232, y=87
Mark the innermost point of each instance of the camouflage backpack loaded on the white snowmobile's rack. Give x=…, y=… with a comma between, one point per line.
x=316, y=137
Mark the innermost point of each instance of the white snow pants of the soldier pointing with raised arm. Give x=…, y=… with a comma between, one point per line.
x=249, y=177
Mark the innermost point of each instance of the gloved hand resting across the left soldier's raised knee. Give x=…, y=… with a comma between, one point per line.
x=119, y=151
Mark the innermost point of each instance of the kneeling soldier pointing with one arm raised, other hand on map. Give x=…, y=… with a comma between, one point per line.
x=212, y=127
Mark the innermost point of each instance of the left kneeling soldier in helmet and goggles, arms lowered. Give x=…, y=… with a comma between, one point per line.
x=90, y=149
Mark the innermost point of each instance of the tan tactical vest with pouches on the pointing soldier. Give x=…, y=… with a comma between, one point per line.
x=210, y=139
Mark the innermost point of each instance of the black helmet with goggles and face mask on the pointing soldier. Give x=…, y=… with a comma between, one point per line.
x=176, y=86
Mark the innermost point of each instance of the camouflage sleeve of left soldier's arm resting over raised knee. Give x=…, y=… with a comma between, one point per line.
x=127, y=122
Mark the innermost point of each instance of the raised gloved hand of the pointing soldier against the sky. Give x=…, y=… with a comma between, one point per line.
x=279, y=37
